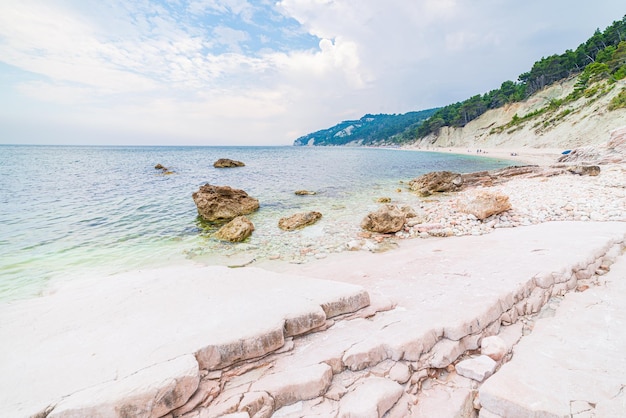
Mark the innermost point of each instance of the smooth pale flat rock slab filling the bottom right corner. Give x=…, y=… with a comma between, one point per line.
x=572, y=364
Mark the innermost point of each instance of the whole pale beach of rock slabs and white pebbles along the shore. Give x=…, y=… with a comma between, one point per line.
x=394, y=327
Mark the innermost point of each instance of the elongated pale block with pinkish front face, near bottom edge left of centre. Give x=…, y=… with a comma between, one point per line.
x=291, y=386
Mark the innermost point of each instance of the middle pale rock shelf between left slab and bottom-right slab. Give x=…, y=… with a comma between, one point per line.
x=447, y=297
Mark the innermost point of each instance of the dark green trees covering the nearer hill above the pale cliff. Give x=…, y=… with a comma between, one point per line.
x=602, y=55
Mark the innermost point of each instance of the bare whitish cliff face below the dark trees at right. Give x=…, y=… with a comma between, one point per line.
x=586, y=121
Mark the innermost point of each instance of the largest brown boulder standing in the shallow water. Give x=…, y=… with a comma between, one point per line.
x=217, y=203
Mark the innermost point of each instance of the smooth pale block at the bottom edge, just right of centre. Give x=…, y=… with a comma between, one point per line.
x=371, y=399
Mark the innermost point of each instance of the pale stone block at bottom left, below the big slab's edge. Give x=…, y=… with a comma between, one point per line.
x=151, y=392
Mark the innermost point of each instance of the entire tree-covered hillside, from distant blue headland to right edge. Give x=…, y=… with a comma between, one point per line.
x=602, y=58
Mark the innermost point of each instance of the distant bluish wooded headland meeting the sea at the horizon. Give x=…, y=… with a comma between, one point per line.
x=369, y=130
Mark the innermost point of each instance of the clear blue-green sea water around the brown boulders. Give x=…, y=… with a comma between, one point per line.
x=67, y=212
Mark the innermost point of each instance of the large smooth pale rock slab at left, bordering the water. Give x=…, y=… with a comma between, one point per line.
x=127, y=329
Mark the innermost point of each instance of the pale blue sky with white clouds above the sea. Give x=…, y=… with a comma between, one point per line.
x=240, y=72
